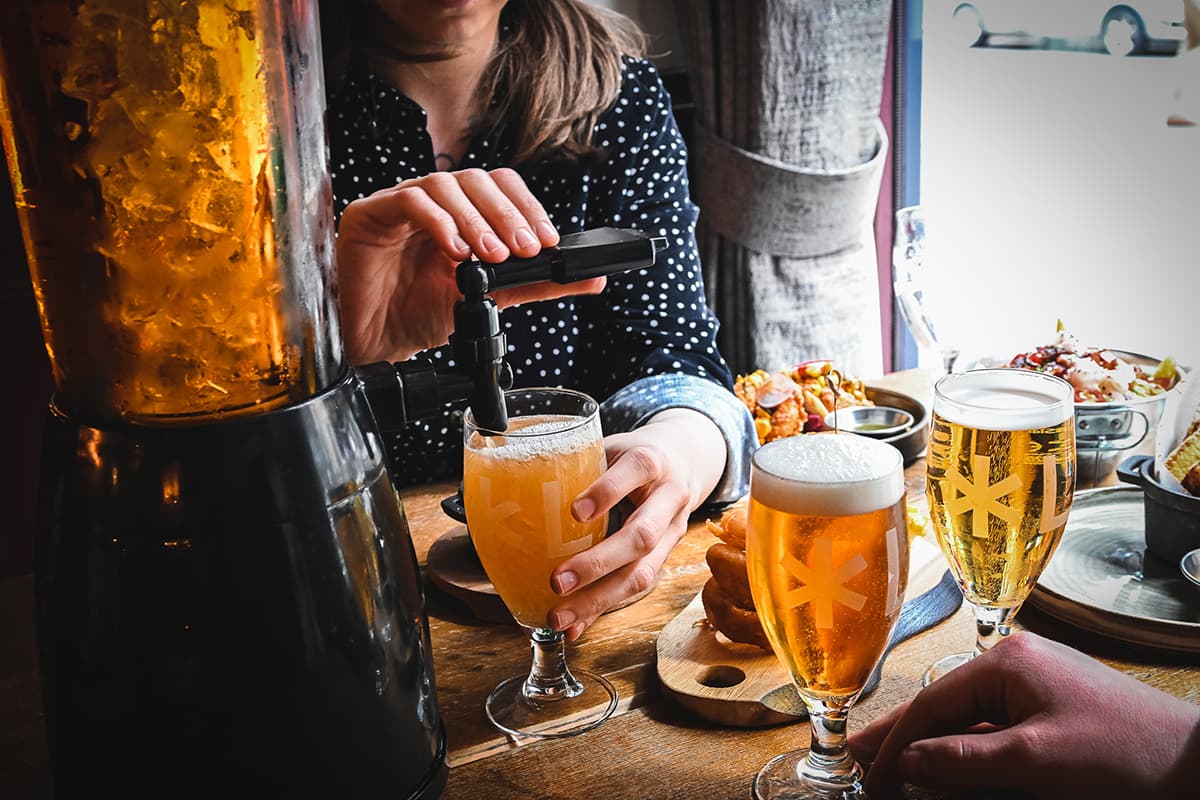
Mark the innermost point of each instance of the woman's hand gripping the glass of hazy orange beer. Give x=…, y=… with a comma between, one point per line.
x=664, y=471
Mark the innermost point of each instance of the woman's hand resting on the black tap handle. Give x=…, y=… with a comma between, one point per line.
x=398, y=251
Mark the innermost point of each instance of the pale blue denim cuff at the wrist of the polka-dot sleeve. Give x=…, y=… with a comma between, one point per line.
x=635, y=404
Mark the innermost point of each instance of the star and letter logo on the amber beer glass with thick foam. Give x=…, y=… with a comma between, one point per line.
x=824, y=584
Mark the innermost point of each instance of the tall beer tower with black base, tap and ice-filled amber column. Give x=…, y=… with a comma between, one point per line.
x=229, y=598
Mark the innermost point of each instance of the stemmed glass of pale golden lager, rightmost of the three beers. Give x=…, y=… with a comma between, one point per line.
x=1000, y=482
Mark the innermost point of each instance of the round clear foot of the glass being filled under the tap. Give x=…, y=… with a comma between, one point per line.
x=513, y=713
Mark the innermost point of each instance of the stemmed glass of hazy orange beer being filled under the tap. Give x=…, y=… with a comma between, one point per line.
x=518, y=491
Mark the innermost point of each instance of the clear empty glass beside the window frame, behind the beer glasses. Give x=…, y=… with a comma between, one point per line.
x=921, y=303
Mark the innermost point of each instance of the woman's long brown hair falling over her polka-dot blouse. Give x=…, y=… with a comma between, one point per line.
x=556, y=69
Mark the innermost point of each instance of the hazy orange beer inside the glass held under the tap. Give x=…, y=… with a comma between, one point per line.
x=518, y=491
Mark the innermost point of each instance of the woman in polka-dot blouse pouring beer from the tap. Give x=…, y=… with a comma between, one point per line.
x=487, y=128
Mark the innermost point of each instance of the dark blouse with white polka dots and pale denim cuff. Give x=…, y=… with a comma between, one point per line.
x=649, y=342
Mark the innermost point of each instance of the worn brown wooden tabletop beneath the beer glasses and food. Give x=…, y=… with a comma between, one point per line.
x=651, y=749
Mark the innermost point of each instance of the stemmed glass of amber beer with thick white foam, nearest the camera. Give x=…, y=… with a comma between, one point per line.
x=827, y=552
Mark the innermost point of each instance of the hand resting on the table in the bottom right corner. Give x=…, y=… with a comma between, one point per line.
x=1037, y=717
